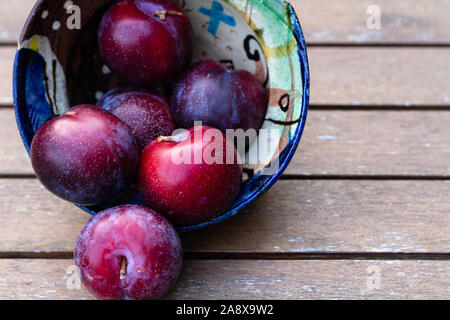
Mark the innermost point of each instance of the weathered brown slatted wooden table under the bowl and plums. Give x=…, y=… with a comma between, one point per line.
x=363, y=211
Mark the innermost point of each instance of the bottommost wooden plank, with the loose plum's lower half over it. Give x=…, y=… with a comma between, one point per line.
x=245, y=279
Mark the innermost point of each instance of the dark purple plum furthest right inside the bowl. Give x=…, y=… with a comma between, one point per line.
x=220, y=98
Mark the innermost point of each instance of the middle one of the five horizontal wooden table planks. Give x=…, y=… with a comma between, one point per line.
x=412, y=143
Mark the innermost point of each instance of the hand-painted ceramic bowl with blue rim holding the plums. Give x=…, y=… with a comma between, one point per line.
x=58, y=65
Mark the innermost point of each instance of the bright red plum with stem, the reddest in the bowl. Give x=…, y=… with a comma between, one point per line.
x=191, y=177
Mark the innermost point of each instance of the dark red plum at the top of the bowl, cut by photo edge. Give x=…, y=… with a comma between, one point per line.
x=146, y=42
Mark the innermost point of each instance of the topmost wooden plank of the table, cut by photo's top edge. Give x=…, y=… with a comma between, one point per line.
x=323, y=21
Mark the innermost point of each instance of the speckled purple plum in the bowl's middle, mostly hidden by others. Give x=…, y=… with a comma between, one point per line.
x=147, y=114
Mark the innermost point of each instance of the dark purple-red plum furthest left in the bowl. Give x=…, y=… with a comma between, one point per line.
x=87, y=156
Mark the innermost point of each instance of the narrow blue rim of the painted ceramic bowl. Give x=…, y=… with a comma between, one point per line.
x=287, y=153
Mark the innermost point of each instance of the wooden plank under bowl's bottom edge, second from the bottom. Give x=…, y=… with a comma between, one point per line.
x=315, y=215
